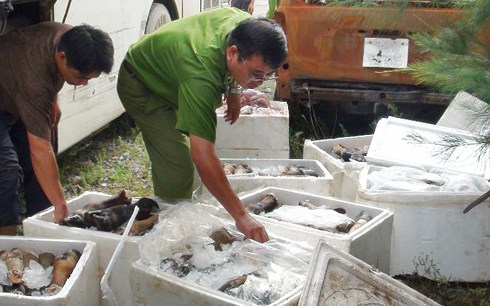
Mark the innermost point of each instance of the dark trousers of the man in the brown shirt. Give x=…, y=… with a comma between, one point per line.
x=16, y=173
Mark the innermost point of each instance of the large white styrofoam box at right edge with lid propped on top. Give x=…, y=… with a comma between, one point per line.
x=429, y=228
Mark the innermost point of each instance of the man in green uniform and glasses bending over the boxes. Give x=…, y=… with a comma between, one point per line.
x=171, y=83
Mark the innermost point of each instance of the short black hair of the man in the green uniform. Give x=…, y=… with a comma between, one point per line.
x=260, y=36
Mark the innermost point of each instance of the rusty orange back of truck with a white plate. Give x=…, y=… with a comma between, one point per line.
x=353, y=57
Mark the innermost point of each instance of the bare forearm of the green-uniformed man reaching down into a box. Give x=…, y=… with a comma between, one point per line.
x=209, y=167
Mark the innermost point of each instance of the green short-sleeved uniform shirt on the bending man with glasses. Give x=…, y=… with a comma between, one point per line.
x=184, y=64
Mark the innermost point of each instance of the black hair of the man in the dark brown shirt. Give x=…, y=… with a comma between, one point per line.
x=87, y=49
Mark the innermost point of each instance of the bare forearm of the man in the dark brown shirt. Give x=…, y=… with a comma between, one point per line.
x=46, y=170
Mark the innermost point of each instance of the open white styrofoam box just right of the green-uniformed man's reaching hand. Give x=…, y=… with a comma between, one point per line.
x=370, y=243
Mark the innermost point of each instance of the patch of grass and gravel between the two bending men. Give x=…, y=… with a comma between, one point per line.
x=111, y=161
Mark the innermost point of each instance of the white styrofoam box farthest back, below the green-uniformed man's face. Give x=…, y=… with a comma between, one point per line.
x=255, y=135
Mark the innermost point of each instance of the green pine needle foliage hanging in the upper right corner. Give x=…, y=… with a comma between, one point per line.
x=460, y=59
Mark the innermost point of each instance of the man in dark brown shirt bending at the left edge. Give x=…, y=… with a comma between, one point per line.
x=35, y=62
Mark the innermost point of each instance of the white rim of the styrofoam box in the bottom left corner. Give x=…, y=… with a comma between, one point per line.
x=57, y=247
